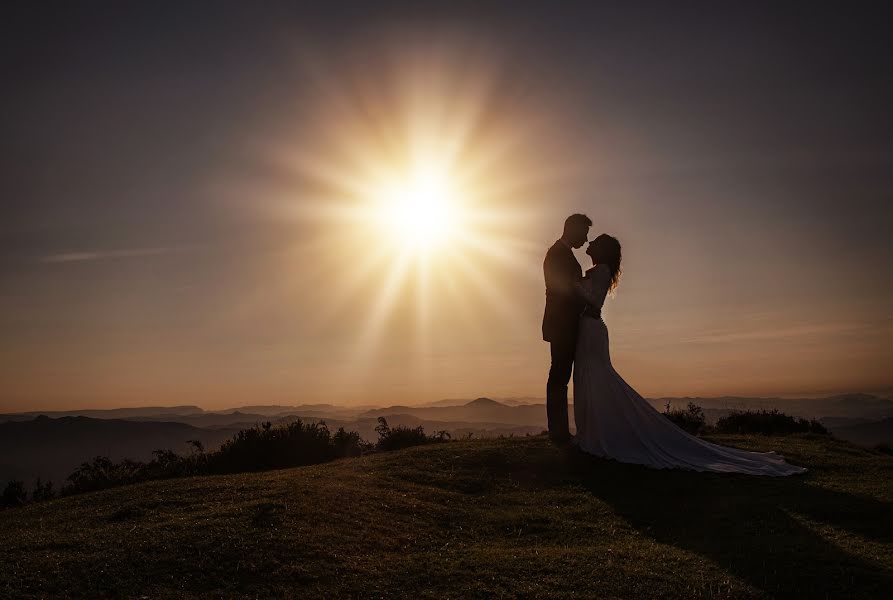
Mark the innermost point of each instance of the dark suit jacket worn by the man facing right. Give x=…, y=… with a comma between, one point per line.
x=563, y=306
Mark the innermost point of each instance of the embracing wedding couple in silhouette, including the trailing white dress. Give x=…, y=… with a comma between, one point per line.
x=612, y=419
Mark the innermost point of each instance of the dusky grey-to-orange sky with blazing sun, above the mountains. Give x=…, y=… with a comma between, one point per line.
x=192, y=198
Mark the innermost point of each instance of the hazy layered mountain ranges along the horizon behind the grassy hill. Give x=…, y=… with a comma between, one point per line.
x=51, y=444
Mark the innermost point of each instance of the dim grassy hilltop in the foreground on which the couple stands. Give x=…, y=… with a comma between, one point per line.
x=497, y=518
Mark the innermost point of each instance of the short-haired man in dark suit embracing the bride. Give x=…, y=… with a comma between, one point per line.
x=561, y=319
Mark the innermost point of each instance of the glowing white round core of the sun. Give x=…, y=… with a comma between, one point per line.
x=422, y=209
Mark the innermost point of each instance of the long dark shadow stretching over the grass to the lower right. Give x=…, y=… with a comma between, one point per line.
x=750, y=526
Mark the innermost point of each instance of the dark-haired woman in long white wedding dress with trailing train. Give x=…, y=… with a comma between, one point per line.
x=614, y=421
